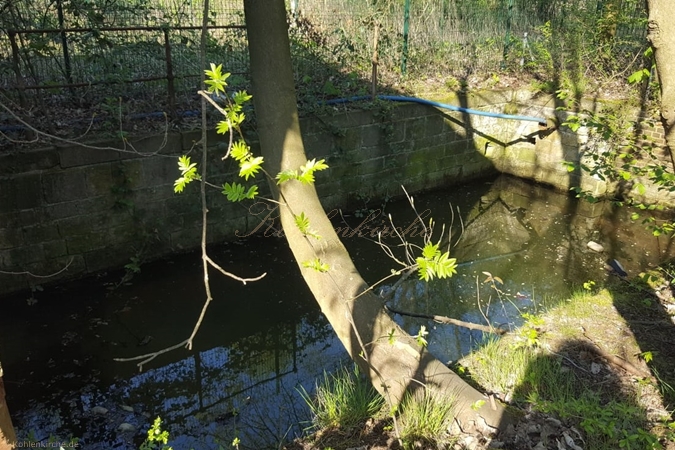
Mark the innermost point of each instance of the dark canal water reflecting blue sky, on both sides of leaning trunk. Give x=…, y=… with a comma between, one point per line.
x=260, y=342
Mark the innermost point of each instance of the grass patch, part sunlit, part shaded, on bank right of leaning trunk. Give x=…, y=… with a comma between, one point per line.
x=610, y=416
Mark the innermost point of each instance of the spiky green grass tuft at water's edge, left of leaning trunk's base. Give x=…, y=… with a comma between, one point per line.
x=342, y=400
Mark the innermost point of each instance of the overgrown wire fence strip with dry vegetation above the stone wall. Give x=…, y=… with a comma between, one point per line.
x=64, y=61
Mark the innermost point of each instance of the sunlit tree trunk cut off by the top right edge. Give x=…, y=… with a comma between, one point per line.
x=662, y=37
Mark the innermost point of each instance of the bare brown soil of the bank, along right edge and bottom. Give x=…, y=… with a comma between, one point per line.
x=607, y=351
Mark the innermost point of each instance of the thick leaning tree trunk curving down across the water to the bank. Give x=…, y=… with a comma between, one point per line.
x=358, y=318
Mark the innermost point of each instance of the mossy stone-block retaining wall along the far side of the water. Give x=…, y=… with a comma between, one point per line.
x=67, y=211
